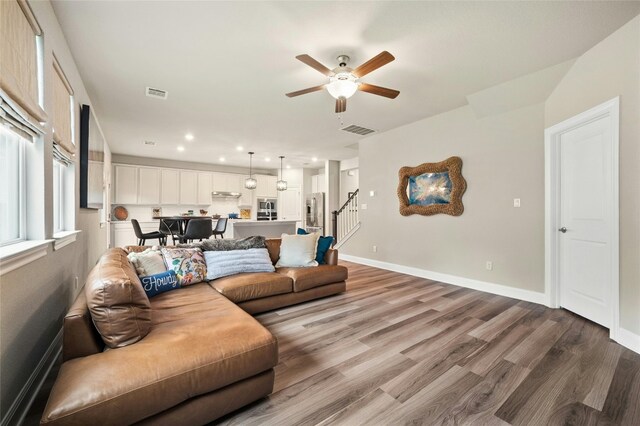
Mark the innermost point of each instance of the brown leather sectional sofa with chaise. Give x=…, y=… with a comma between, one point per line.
x=203, y=357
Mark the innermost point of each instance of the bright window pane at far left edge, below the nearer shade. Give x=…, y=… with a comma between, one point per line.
x=12, y=197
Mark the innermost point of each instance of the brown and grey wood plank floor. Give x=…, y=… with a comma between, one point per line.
x=396, y=349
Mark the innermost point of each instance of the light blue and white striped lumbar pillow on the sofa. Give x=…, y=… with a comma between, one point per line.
x=230, y=262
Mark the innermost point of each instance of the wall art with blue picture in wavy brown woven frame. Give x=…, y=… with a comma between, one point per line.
x=432, y=188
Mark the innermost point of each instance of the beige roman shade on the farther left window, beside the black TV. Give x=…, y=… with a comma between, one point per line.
x=61, y=120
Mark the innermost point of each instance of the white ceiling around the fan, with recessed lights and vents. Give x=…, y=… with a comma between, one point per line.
x=227, y=66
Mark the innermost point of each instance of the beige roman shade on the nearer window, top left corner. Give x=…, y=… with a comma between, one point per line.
x=19, y=57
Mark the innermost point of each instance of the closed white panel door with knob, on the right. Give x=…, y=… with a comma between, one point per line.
x=586, y=192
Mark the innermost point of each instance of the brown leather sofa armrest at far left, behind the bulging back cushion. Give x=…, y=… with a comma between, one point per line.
x=79, y=337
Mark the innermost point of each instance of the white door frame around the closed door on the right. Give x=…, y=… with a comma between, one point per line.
x=552, y=136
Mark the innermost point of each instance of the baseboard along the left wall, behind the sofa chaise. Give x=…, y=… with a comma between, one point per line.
x=20, y=406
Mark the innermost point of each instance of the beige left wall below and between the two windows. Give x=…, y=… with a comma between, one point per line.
x=34, y=298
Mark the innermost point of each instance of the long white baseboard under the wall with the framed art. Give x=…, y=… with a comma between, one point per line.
x=501, y=290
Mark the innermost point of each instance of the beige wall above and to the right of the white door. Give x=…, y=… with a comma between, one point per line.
x=610, y=69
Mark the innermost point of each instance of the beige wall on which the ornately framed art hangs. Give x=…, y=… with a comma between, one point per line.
x=503, y=159
